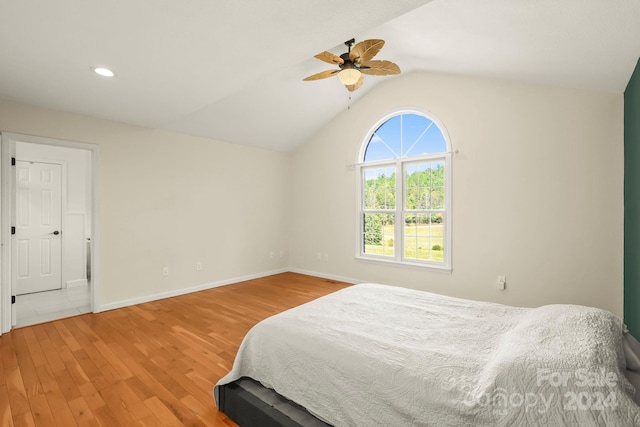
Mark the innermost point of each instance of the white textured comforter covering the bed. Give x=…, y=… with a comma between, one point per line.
x=374, y=355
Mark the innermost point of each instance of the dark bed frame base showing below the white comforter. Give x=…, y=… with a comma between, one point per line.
x=250, y=404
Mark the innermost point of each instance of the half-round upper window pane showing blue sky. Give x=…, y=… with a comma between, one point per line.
x=407, y=134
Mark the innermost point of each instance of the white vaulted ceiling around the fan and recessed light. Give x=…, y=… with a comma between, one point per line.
x=232, y=70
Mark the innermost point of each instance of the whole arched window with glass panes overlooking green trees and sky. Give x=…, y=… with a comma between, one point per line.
x=404, y=192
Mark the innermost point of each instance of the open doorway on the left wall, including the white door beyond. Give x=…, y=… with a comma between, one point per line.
x=48, y=204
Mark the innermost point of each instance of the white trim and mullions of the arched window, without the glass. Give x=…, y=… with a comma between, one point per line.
x=399, y=165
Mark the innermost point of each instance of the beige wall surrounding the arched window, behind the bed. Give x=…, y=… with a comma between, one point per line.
x=537, y=191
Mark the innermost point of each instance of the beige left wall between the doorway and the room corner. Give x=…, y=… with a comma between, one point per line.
x=168, y=199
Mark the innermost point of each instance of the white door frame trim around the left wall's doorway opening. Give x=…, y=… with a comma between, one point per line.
x=7, y=151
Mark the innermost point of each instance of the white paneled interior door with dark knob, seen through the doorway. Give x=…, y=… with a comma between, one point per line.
x=38, y=217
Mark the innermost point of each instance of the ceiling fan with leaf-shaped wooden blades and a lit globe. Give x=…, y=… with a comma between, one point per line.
x=356, y=62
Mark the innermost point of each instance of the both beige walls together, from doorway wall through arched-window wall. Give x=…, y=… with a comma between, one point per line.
x=537, y=197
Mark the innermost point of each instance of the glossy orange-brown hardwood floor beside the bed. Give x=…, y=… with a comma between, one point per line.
x=153, y=364
